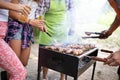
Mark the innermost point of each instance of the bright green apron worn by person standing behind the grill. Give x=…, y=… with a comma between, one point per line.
x=55, y=20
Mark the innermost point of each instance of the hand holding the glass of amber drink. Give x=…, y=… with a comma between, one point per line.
x=21, y=8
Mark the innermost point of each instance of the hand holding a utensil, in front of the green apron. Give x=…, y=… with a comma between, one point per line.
x=38, y=23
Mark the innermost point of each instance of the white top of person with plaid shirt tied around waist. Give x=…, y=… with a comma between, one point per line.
x=33, y=5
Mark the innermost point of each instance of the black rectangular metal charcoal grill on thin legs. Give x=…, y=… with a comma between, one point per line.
x=68, y=64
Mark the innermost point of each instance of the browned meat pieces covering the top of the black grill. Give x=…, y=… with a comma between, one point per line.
x=75, y=49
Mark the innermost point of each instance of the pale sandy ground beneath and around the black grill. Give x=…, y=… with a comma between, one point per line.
x=102, y=72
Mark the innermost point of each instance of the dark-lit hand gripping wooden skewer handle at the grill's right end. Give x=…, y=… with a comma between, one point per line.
x=113, y=59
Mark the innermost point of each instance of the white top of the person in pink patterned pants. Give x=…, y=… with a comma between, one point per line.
x=4, y=13
